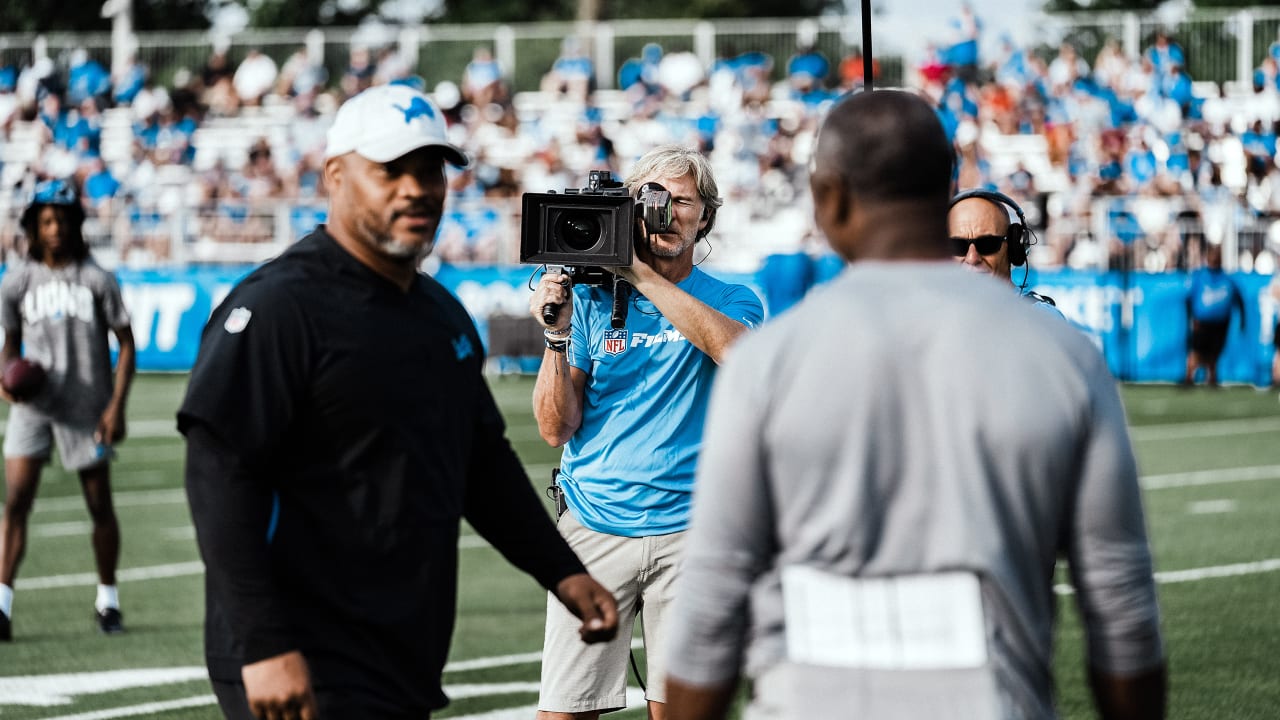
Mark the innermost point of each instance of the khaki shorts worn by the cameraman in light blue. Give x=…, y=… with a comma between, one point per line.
x=639, y=572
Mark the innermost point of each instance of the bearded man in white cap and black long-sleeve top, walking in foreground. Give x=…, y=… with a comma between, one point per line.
x=339, y=431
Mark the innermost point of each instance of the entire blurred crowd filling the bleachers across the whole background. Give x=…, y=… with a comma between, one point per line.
x=1118, y=161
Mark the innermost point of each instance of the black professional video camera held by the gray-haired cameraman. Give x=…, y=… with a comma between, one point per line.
x=583, y=231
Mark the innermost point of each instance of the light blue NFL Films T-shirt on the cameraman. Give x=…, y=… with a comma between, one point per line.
x=629, y=470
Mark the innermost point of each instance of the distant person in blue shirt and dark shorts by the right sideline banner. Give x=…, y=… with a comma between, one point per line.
x=1210, y=302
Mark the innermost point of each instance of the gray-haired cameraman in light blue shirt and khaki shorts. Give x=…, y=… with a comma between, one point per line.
x=628, y=405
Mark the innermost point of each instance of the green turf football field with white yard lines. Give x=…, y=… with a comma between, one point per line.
x=1212, y=471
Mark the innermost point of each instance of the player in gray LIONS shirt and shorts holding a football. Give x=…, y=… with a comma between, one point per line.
x=57, y=308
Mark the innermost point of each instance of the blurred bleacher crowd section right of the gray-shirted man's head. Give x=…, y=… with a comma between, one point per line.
x=1140, y=166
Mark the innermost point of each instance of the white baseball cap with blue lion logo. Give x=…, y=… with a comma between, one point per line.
x=390, y=121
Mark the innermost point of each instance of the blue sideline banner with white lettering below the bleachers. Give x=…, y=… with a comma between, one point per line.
x=1139, y=321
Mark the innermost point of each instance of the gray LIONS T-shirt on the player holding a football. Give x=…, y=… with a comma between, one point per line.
x=65, y=316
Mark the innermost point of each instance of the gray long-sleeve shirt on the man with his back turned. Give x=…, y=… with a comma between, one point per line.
x=913, y=421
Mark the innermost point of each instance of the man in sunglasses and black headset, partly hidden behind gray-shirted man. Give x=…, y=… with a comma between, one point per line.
x=989, y=236
